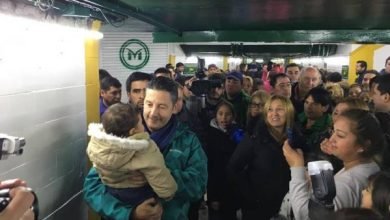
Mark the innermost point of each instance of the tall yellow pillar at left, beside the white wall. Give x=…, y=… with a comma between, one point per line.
x=92, y=87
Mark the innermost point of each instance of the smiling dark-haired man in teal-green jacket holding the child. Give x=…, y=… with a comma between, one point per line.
x=183, y=156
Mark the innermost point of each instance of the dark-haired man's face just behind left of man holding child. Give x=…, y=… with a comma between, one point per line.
x=136, y=85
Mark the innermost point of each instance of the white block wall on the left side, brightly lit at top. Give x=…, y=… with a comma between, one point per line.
x=42, y=98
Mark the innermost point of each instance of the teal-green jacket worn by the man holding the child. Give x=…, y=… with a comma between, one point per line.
x=187, y=162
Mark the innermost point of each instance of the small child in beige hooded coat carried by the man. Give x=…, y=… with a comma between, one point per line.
x=129, y=163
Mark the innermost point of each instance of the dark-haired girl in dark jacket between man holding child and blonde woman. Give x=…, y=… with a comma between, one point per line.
x=222, y=137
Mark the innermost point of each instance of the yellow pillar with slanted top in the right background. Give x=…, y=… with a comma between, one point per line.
x=364, y=52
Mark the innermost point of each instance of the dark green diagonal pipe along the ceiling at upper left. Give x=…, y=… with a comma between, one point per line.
x=129, y=11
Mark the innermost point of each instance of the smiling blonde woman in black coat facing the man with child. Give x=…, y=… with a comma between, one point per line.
x=258, y=168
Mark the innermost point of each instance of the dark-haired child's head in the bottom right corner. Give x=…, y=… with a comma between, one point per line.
x=377, y=194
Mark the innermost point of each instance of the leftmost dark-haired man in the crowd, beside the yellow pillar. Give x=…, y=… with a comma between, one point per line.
x=110, y=93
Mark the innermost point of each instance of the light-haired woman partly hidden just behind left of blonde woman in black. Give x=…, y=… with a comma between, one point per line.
x=255, y=110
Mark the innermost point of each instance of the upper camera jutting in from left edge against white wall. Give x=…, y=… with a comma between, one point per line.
x=11, y=146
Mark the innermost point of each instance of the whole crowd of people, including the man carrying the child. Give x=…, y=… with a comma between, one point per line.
x=169, y=151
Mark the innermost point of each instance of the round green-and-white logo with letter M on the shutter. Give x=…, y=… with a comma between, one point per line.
x=134, y=54
